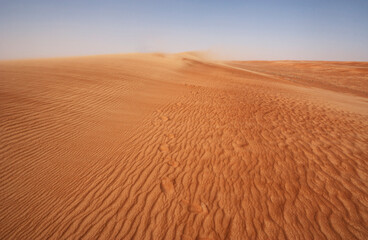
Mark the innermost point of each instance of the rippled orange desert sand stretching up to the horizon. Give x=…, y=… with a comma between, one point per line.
x=156, y=146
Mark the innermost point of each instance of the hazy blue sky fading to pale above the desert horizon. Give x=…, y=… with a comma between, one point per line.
x=239, y=30
